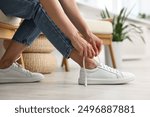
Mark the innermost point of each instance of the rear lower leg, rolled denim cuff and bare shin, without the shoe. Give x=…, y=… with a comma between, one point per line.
x=24, y=36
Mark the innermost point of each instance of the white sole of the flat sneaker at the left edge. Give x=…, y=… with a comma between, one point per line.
x=17, y=80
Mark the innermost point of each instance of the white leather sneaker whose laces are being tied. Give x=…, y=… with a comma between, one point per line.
x=104, y=75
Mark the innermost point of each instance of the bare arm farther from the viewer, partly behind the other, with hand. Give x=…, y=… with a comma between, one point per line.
x=72, y=11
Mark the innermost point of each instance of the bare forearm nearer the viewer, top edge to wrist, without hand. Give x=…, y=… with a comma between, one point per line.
x=55, y=11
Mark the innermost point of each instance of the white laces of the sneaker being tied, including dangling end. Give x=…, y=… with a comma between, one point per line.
x=99, y=65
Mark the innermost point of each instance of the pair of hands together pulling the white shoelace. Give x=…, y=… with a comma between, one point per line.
x=88, y=46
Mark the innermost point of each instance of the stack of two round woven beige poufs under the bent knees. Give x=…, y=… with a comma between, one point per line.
x=38, y=57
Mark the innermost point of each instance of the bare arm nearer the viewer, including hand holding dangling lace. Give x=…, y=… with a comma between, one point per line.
x=56, y=12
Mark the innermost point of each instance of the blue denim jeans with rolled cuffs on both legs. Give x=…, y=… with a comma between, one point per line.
x=36, y=21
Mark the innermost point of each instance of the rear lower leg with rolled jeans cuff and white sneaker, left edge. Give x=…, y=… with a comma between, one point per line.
x=12, y=72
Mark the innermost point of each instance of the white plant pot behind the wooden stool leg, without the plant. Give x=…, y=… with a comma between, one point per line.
x=117, y=55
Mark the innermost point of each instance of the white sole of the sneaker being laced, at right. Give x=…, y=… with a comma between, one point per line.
x=92, y=81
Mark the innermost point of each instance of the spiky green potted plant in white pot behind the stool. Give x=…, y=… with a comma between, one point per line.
x=121, y=32
